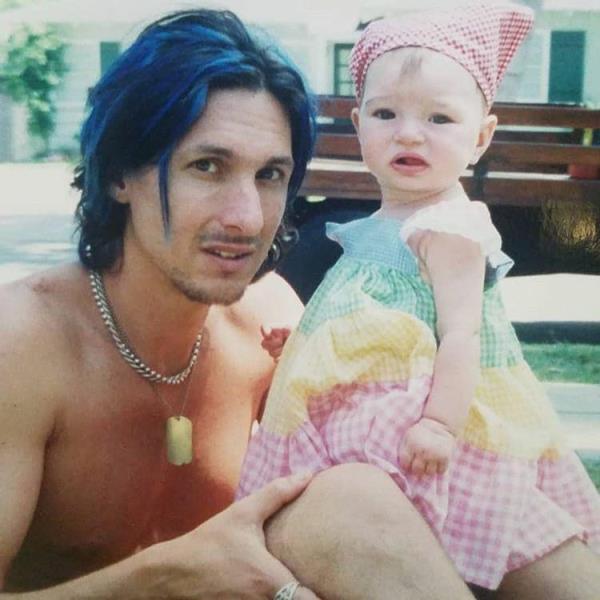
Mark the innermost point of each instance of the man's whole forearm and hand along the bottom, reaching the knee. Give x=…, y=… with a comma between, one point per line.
x=225, y=557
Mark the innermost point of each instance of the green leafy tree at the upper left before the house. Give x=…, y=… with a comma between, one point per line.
x=33, y=66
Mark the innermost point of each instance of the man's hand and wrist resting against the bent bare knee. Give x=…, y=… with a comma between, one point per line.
x=226, y=557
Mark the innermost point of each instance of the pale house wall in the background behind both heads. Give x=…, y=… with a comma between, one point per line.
x=310, y=38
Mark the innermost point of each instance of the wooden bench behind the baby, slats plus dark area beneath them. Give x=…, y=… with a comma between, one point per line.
x=523, y=177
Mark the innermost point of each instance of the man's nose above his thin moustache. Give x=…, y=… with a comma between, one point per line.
x=242, y=210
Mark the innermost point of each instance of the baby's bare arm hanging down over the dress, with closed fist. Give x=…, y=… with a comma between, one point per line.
x=455, y=267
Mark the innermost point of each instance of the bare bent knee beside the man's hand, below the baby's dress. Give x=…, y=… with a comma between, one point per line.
x=353, y=535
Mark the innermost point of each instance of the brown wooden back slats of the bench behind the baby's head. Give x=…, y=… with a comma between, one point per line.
x=526, y=164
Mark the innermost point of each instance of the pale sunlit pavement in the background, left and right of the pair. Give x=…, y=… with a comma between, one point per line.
x=36, y=228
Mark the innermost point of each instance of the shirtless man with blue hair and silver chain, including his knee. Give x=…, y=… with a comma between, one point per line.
x=129, y=383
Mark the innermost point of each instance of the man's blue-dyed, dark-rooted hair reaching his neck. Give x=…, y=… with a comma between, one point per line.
x=153, y=94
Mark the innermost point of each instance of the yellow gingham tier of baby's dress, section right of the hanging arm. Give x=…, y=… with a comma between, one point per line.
x=512, y=415
